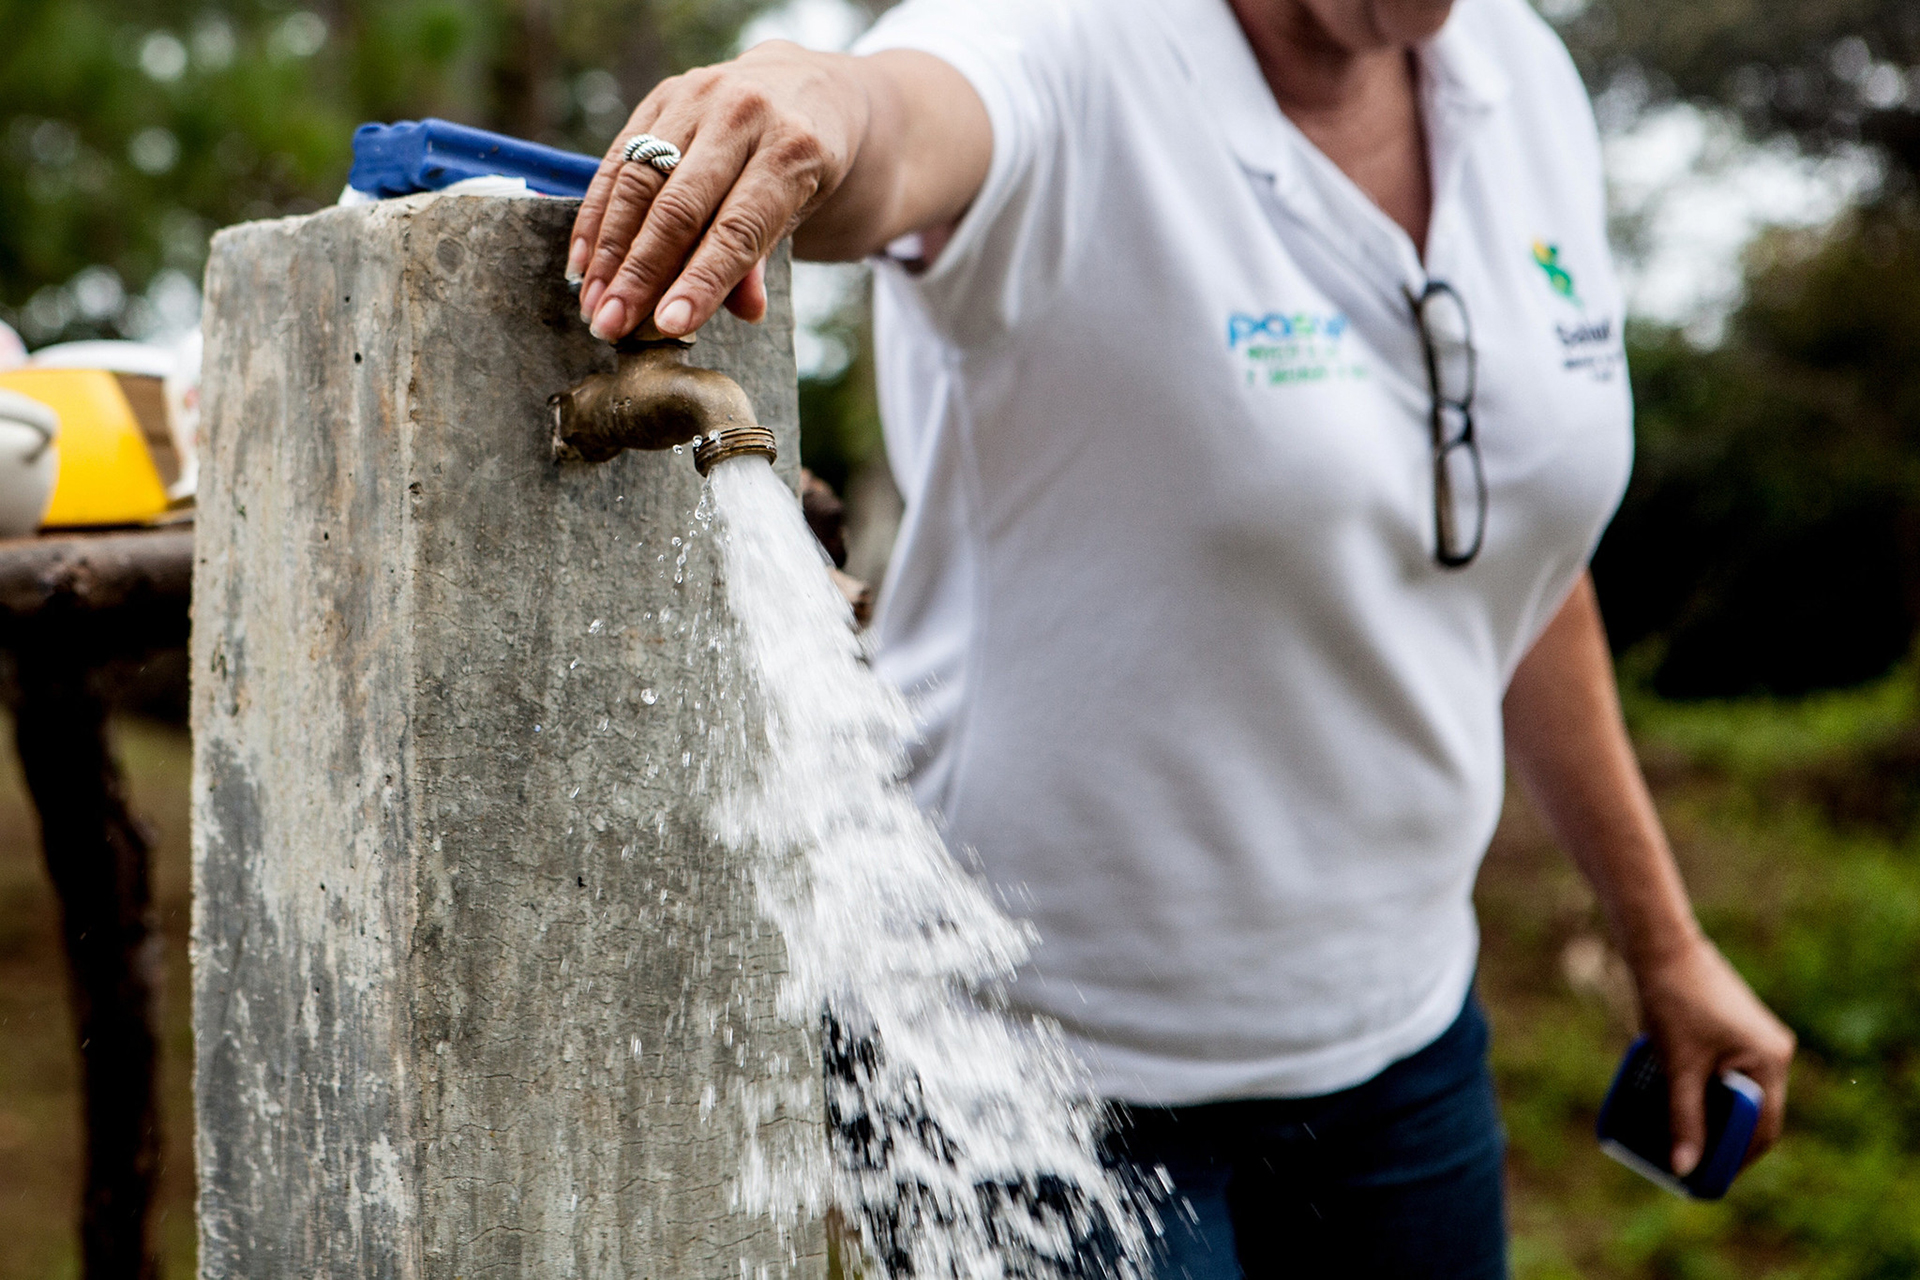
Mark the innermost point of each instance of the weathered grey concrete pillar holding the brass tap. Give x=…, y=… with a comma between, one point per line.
x=473, y=984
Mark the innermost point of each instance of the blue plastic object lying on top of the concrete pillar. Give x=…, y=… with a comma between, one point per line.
x=425, y=156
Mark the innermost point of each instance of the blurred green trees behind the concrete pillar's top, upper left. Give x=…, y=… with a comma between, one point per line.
x=130, y=130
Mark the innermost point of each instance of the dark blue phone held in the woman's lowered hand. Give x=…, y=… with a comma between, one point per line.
x=1635, y=1126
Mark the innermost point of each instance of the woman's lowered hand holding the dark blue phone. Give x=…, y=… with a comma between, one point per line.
x=1706, y=1020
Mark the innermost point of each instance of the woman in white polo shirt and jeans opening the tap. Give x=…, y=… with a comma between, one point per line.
x=1253, y=371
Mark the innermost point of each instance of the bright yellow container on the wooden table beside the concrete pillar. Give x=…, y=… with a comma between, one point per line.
x=107, y=465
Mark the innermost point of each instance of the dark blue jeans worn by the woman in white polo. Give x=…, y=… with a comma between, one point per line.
x=1397, y=1179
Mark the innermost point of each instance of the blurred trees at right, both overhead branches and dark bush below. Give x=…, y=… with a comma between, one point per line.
x=1769, y=538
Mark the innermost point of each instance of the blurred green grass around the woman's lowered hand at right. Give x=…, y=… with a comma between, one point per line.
x=1796, y=828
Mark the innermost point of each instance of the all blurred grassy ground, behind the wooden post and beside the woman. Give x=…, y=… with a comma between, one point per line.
x=1798, y=826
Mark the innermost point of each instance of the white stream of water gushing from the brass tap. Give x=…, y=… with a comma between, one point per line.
x=963, y=1141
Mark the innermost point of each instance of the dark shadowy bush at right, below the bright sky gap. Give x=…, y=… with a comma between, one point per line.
x=1771, y=538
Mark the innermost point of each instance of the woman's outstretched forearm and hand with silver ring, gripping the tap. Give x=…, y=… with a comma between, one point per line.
x=844, y=153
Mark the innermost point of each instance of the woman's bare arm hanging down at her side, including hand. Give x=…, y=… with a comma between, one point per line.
x=1568, y=744
